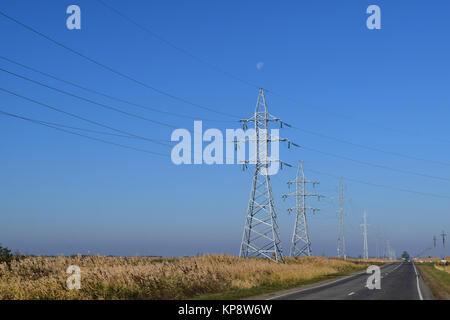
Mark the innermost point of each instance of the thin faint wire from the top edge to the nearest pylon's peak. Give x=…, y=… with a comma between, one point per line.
x=193, y=56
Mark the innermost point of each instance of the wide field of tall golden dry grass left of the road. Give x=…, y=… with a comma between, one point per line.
x=160, y=278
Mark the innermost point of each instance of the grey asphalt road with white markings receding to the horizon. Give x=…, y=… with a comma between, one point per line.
x=399, y=281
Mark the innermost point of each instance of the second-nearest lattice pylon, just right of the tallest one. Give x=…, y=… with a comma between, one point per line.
x=301, y=242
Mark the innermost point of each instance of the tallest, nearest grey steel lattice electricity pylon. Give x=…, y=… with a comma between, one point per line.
x=261, y=236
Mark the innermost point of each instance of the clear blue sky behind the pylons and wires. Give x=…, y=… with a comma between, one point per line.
x=325, y=72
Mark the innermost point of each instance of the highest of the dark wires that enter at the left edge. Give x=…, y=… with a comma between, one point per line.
x=121, y=74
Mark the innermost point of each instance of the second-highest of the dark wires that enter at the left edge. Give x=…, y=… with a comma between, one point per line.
x=106, y=95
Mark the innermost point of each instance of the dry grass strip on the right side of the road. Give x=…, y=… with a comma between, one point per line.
x=437, y=276
